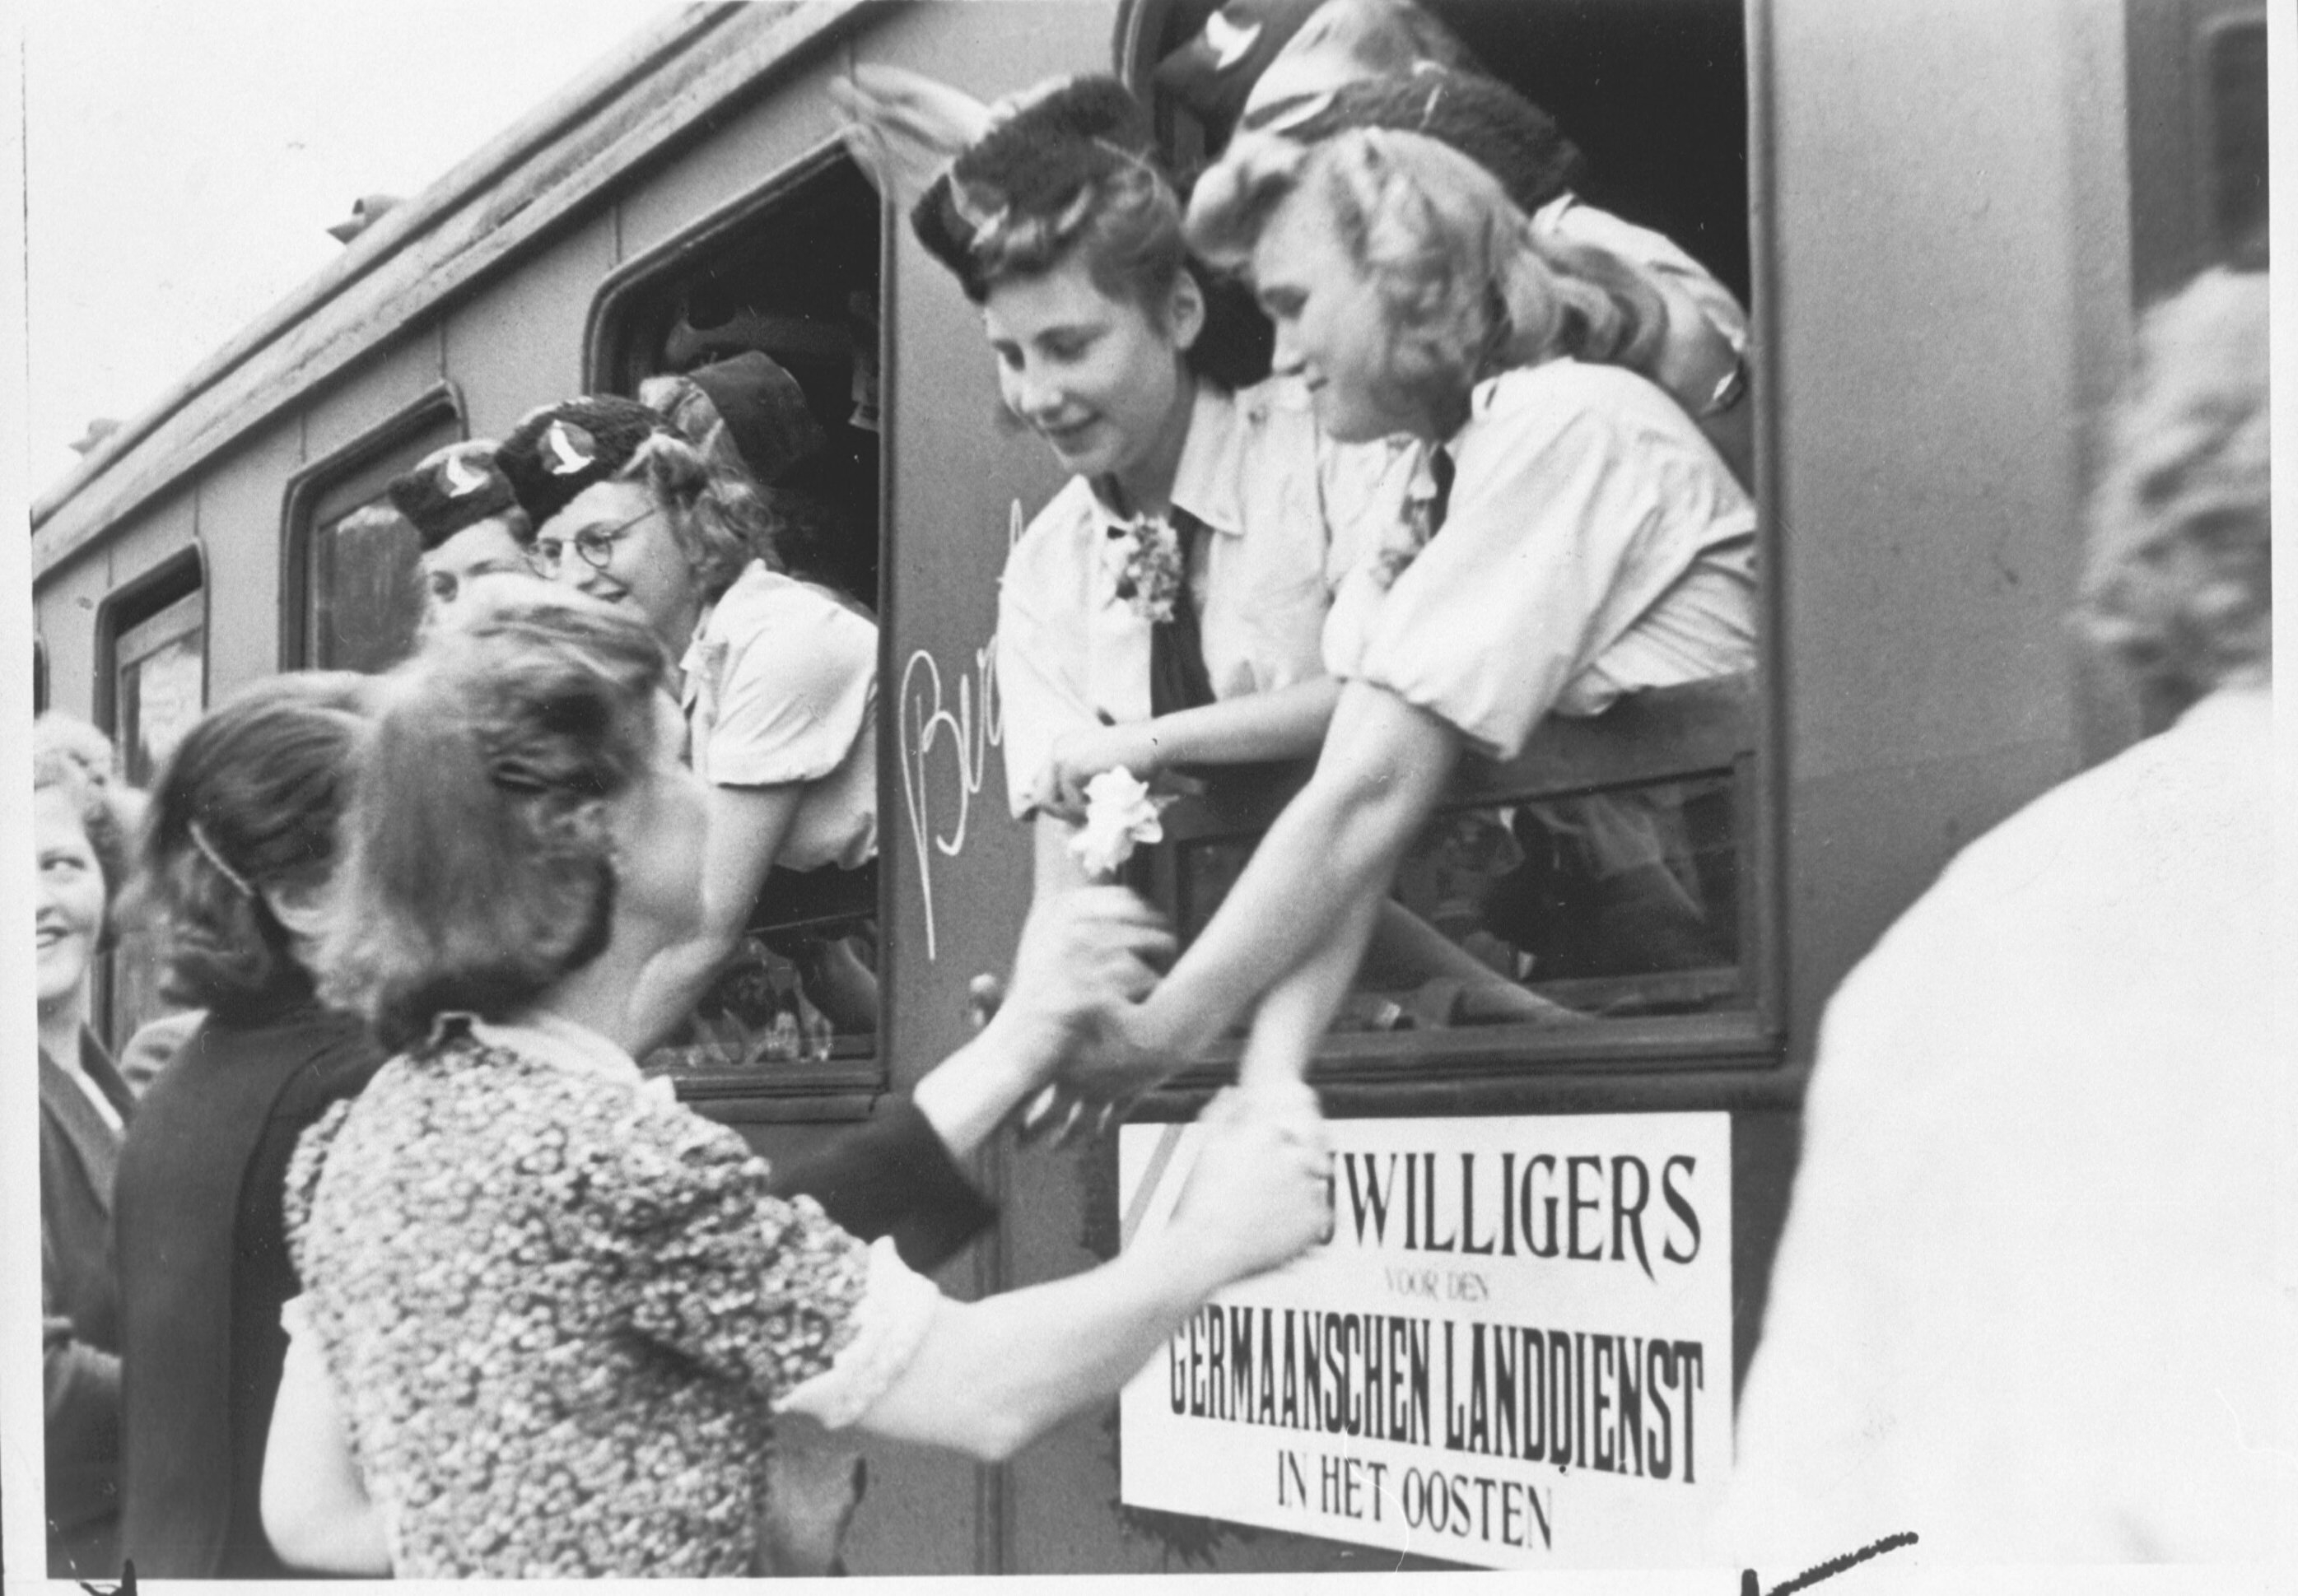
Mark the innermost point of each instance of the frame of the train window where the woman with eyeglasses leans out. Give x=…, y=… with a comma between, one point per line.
x=799, y=1092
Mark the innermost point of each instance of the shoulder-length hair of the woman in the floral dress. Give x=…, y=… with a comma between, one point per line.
x=479, y=867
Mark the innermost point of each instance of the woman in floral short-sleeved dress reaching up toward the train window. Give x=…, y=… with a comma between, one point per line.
x=550, y=1315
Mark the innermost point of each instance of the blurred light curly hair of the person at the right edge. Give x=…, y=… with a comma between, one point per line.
x=2180, y=568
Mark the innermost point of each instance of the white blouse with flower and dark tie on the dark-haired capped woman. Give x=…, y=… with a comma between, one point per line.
x=1286, y=513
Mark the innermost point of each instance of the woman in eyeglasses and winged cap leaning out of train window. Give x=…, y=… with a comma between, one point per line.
x=778, y=685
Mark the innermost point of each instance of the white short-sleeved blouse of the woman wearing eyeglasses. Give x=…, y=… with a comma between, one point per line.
x=782, y=688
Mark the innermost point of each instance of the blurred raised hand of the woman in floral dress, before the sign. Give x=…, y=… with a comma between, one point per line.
x=1263, y=1186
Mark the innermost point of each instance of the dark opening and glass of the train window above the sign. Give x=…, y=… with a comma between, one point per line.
x=1603, y=894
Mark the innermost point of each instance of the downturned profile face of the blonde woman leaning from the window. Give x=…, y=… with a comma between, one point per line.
x=1334, y=330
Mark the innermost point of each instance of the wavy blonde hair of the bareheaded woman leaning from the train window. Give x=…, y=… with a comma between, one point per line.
x=1467, y=288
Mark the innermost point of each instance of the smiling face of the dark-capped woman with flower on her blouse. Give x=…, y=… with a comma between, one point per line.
x=1097, y=378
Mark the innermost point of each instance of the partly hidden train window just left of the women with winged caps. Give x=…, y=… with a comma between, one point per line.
x=355, y=591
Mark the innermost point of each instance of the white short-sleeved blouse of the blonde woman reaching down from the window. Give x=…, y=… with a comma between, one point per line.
x=1596, y=545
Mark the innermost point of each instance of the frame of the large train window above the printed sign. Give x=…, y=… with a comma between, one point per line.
x=1401, y=1069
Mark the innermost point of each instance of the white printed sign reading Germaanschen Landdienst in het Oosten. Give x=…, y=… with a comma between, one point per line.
x=1513, y=1354
